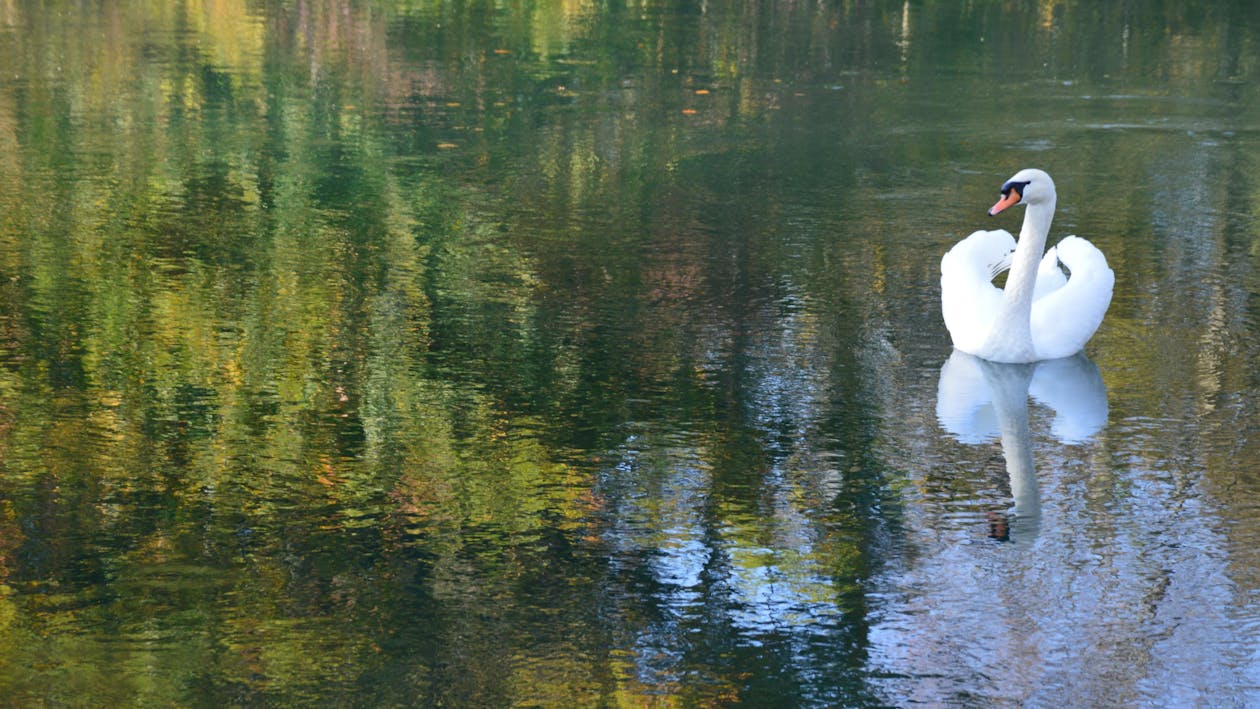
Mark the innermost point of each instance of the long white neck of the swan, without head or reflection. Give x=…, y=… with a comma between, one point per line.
x=1011, y=337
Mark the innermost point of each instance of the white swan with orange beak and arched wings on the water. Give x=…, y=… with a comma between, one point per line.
x=1041, y=314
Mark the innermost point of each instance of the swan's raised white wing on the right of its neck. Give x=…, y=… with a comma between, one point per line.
x=1064, y=320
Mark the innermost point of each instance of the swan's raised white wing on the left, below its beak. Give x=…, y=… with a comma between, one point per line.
x=970, y=300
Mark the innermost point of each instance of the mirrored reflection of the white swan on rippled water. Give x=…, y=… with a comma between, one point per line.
x=978, y=401
